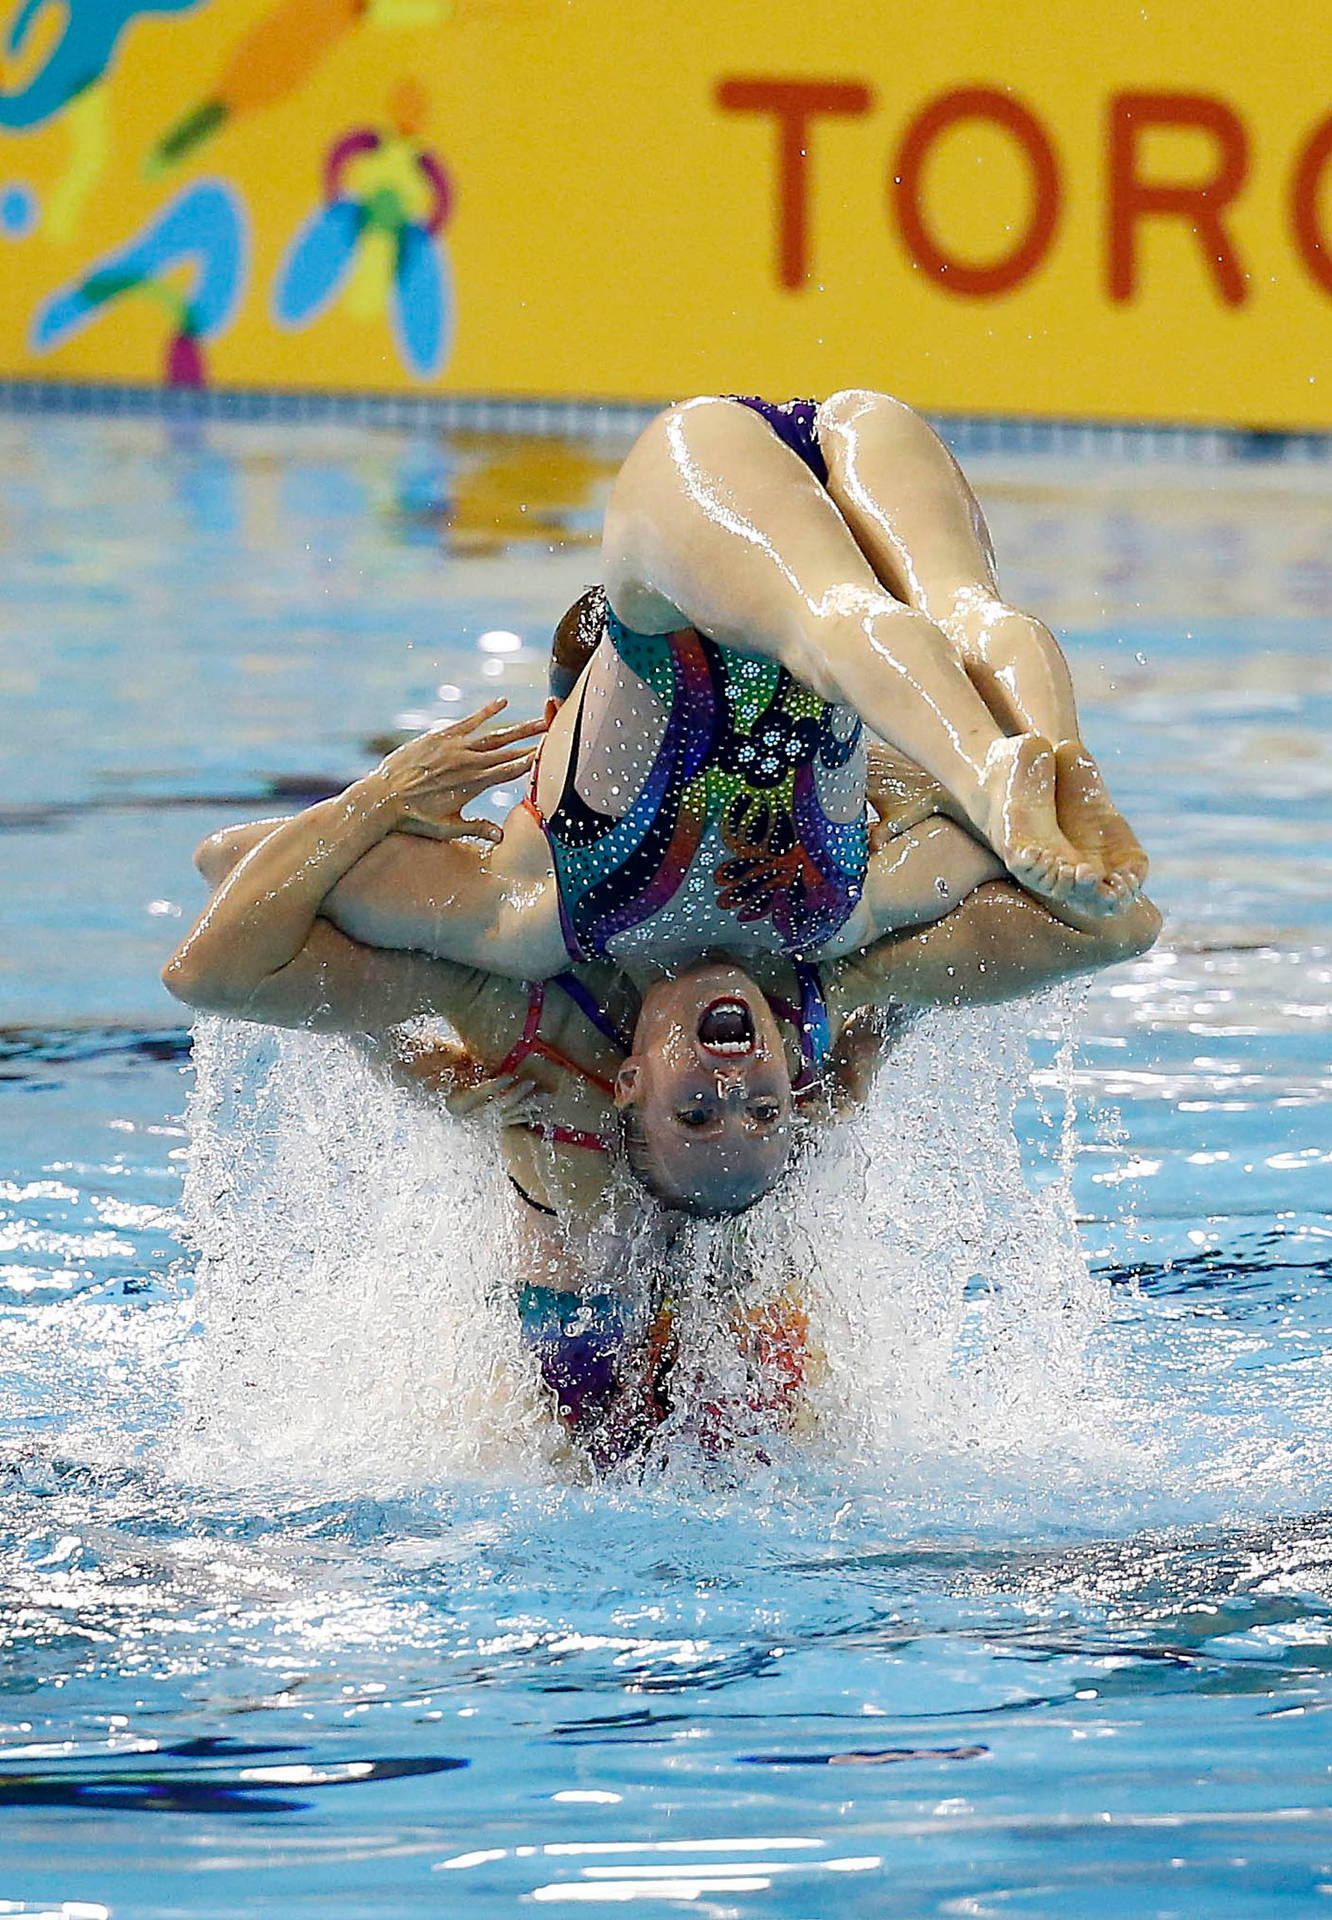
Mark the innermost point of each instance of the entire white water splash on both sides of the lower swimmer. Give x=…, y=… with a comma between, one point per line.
x=358, y=1262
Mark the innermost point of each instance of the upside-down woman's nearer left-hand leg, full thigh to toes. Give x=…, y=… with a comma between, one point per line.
x=717, y=525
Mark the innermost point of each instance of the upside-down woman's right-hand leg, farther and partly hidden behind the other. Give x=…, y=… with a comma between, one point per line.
x=922, y=531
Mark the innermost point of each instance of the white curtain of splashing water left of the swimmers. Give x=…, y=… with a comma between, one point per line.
x=356, y=1272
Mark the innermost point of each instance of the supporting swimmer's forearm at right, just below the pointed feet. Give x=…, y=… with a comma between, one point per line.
x=999, y=946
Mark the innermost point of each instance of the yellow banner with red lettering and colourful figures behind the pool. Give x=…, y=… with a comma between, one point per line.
x=1043, y=208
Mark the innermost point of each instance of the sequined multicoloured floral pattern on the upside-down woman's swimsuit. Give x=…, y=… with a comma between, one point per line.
x=744, y=752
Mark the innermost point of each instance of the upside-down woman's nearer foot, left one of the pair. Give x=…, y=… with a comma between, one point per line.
x=1024, y=828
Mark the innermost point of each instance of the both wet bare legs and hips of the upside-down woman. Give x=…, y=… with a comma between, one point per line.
x=844, y=540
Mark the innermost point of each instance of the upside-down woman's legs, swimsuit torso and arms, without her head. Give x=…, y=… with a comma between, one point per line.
x=705, y=782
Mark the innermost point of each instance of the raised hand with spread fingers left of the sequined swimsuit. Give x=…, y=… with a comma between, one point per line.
x=429, y=782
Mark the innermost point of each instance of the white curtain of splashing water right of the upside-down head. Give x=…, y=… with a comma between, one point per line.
x=957, y=1301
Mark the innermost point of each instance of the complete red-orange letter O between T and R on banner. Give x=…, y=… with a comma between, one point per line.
x=936, y=120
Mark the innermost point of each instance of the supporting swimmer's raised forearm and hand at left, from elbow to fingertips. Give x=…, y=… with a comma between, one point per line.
x=264, y=913
